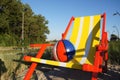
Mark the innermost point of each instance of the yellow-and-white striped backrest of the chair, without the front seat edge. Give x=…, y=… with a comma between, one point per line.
x=84, y=31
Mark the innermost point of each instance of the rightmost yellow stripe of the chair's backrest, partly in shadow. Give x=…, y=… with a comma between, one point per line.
x=95, y=39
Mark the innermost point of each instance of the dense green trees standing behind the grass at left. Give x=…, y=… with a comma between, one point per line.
x=12, y=15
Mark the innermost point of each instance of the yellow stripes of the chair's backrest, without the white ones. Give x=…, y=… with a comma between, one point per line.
x=80, y=51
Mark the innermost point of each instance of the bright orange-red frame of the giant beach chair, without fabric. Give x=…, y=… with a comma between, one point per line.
x=101, y=54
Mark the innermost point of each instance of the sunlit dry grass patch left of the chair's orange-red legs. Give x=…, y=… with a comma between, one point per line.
x=9, y=65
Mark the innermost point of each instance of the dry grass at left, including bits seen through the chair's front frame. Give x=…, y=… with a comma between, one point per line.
x=13, y=65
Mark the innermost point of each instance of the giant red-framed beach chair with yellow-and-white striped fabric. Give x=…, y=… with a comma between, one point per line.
x=90, y=41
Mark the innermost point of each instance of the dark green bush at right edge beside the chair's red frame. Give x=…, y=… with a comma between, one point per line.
x=114, y=52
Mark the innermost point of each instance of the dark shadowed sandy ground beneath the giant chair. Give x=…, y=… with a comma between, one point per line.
x=59, y=73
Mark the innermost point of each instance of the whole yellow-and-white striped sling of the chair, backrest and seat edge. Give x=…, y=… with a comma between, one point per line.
x=85, y=36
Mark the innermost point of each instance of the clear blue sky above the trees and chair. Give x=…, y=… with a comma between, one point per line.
x=59, y=12
